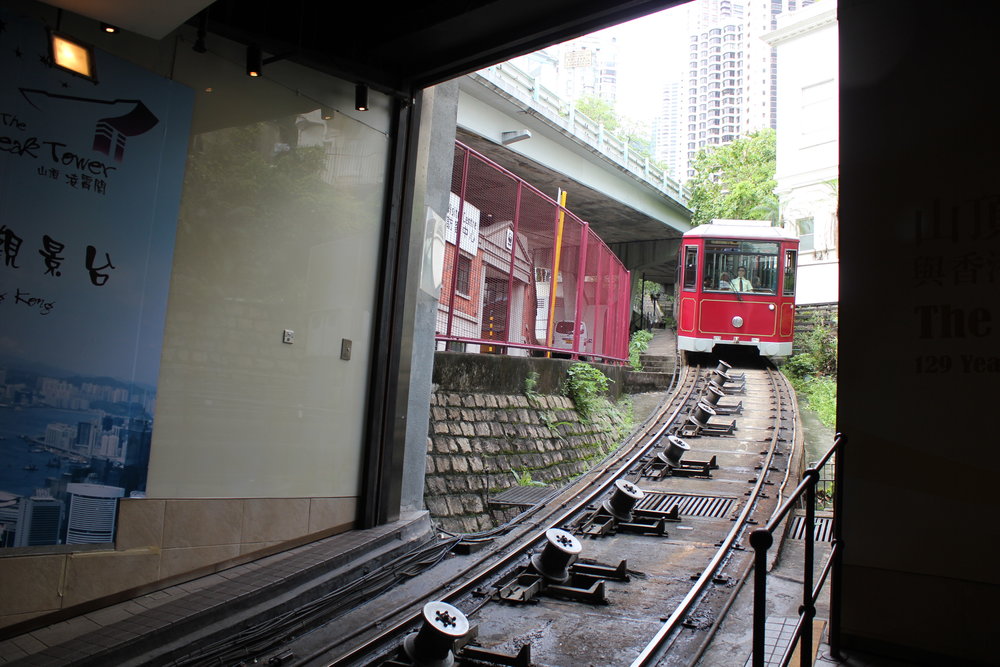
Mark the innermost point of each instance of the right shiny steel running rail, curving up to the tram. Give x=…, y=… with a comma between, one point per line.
x=652, y=652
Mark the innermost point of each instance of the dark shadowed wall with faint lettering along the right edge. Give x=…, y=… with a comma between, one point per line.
x=919, y=324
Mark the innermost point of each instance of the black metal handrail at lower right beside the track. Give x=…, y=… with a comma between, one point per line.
x=762, y=539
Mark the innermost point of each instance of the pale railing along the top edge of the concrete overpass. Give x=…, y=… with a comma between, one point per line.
x=528, y=90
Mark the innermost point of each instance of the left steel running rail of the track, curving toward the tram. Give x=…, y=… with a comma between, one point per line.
x=520, y=544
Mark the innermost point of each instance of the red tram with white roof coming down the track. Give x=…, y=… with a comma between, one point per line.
x=736, y=286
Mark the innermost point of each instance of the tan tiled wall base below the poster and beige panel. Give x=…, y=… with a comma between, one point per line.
x=162, y=542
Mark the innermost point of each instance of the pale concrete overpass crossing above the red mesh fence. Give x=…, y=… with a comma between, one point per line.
x=634, y=207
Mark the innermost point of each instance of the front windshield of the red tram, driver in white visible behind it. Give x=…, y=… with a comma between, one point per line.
x=732, y=265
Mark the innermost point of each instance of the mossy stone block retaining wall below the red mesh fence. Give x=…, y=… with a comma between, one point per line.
x=480, y=443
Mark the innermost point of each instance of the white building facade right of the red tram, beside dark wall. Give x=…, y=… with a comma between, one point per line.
x=807, y=135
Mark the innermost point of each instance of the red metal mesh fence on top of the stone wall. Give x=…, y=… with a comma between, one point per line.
x=524, y=276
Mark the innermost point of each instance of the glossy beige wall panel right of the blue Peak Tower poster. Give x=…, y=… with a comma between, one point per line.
x=280, y=227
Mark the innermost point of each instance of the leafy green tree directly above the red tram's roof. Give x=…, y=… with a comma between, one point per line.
x=735, y=180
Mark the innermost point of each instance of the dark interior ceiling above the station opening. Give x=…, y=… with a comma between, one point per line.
x=401, y=47
